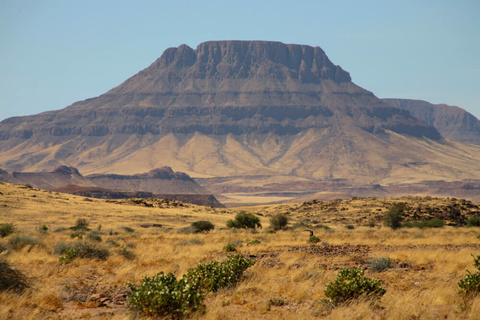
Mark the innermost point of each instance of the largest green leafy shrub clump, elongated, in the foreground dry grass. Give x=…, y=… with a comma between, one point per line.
x=165, y=296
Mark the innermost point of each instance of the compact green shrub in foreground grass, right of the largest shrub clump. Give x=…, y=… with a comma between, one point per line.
x=350, y=284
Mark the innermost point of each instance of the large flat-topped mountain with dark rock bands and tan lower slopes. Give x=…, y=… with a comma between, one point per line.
x=237, y=109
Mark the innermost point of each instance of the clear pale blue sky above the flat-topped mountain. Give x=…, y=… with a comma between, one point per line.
x=54, y=53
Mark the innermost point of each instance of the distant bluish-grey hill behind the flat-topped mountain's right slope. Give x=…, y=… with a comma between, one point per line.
x=452, y=122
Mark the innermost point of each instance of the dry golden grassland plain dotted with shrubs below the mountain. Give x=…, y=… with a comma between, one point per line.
x=289, y=276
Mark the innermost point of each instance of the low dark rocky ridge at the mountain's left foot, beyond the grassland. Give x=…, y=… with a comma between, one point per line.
x=158, y=183
